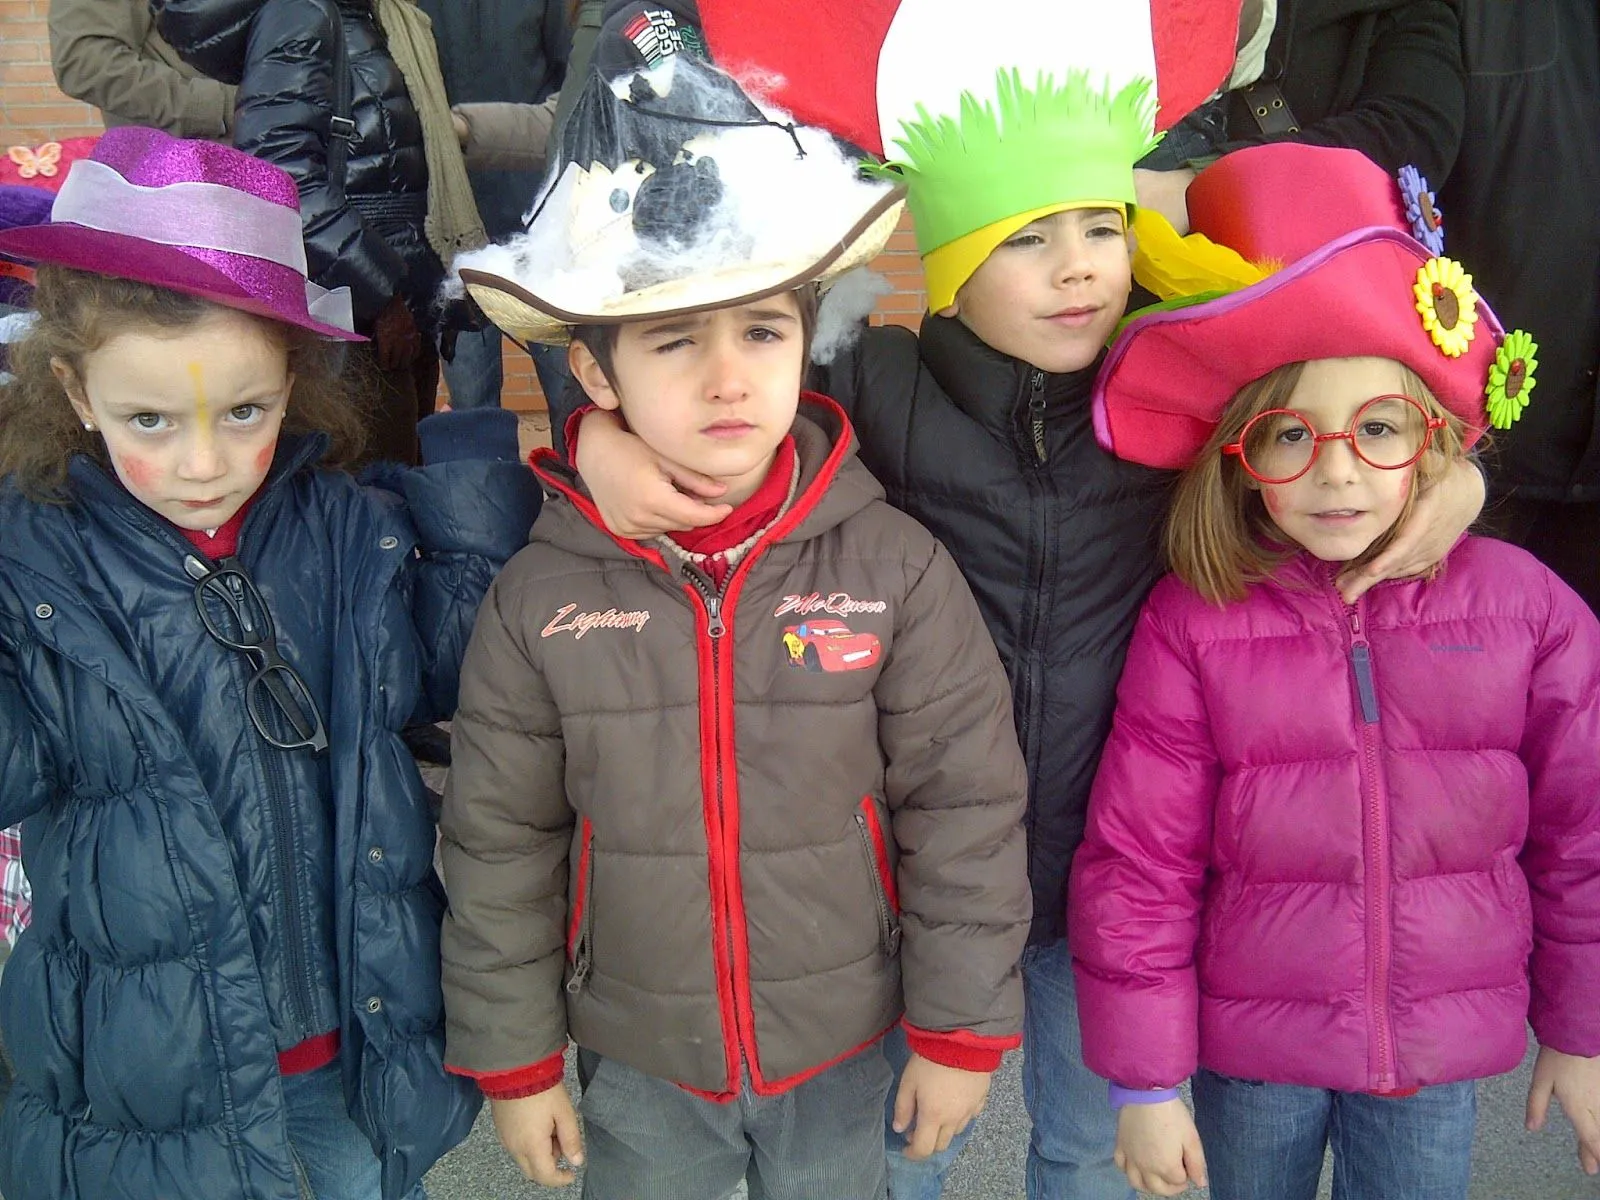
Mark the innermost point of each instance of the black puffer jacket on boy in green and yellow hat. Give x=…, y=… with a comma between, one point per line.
x=1060, y=548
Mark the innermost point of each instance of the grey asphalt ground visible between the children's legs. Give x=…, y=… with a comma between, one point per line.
x=1510, y=1164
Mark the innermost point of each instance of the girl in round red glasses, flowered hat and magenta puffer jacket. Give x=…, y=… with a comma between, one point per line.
x=1338, y=855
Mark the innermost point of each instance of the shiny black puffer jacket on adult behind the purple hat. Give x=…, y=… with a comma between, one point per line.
x=367, y=234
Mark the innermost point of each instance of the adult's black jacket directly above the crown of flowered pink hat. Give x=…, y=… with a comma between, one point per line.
x=1375, y=76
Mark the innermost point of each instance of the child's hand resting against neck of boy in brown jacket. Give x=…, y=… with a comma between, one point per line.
x=639, y=494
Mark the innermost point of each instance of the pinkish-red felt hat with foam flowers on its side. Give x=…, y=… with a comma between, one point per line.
x=1351, y=281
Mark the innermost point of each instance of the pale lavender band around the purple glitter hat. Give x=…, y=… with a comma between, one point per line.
x=198, y=217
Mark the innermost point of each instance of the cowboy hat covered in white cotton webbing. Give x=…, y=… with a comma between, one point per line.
x=678, y=193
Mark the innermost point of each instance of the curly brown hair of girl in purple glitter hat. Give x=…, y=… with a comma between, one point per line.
x=78, y=314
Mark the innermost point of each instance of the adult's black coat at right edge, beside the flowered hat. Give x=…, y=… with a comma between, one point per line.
x=1522, y=214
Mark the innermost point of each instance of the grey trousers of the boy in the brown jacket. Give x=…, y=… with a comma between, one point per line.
x=647, y=1137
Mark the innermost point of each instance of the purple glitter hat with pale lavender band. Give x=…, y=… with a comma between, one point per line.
x=191, y=217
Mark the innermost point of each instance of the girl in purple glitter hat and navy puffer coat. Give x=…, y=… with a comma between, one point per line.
x=210, y=641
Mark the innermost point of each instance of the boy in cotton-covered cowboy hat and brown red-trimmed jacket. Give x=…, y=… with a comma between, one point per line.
x=726, y=806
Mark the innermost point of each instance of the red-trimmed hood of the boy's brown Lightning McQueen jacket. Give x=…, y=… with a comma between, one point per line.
x=833, y=489
